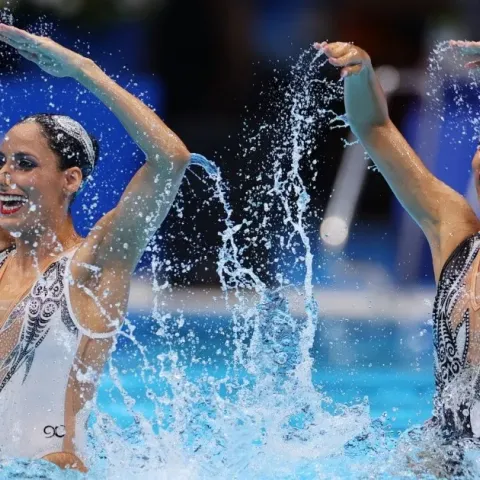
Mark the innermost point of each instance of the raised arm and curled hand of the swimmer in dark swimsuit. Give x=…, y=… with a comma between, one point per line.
x=444, y=215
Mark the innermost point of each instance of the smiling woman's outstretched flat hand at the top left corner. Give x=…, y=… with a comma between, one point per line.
x=47, y=54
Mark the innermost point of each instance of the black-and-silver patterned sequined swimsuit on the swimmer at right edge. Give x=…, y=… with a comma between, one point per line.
x=457, y=396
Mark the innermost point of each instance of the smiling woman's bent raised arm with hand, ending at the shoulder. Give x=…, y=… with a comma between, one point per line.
x=151, y=192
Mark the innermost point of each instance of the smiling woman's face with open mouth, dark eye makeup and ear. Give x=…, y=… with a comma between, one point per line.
x=34, y=192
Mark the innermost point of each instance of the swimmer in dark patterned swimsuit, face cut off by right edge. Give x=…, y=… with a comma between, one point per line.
x=452, y=230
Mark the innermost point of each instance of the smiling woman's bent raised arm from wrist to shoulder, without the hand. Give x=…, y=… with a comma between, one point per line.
x=126, y=231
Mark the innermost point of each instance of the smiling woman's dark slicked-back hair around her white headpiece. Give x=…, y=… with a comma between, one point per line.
x=70, y=151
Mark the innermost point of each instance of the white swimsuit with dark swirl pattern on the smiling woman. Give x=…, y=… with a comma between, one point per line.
x=41, y=346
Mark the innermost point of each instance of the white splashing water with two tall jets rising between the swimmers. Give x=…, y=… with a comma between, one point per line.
x=261, y=416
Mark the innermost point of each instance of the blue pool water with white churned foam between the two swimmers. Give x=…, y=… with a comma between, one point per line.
x=381, y=375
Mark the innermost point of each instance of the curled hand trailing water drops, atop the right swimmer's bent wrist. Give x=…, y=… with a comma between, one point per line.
x=350, y=58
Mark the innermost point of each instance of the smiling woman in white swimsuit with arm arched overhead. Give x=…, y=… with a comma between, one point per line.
x=63, y=297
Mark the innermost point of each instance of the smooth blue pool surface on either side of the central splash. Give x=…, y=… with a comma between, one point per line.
x=389, y=364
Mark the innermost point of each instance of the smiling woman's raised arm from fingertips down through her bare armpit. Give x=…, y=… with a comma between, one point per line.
x=105, y=261
